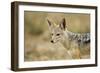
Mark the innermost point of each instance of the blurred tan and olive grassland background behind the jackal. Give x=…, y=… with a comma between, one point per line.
x=37, y=35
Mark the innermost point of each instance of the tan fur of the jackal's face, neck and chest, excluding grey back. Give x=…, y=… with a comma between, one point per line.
x=72, y=47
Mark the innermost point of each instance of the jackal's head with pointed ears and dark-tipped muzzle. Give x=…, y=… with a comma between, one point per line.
x=57, y=31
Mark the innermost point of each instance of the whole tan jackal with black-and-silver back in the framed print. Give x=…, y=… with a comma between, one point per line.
x=72, y=41
